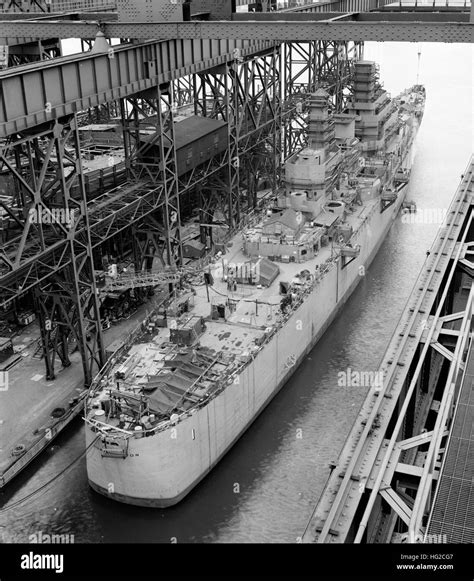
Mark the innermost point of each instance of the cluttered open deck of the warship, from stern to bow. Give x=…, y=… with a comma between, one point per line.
x=155, y=374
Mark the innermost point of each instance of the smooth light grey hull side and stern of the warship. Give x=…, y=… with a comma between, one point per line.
x=161, y=470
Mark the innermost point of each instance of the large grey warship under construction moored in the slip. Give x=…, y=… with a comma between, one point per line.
x=174, y=398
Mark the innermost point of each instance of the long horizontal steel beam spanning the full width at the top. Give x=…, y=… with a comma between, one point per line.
x=388, y=29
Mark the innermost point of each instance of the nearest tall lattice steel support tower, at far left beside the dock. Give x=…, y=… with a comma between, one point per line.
x=67, y=301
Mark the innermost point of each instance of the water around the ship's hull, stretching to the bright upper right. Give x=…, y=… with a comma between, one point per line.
x=266, y=486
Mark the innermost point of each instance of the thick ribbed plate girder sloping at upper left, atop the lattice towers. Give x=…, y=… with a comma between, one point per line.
x=39, y=93
